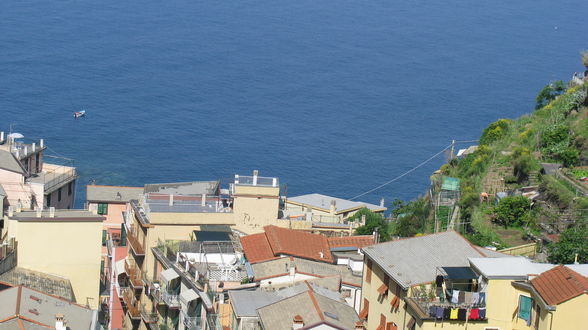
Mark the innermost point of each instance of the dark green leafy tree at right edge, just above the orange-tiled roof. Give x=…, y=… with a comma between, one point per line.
x=571, y=242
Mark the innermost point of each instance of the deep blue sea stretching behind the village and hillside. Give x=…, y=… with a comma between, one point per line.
x=332, y=96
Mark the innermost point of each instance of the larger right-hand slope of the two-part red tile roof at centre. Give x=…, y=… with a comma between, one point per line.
x=298, y=243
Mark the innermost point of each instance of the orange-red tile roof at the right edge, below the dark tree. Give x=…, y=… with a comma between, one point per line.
x=560, y=284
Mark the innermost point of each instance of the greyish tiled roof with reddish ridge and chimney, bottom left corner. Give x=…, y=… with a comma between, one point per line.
x=25, y=308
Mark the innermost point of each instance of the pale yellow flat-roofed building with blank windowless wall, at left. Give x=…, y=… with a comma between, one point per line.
x=60, y=242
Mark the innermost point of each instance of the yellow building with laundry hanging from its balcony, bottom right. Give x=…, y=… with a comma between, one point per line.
x=442, y=281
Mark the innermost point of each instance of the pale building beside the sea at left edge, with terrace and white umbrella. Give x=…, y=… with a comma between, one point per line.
x=28, y=181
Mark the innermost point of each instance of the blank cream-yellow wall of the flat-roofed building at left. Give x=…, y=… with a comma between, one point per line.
x=68, y=249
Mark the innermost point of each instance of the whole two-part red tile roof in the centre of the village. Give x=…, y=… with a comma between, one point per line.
x=277, y=241
